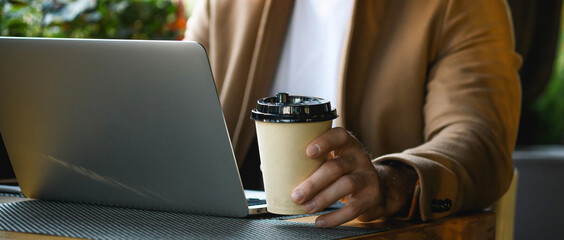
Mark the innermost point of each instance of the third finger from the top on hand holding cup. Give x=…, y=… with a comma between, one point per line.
x=344, y=186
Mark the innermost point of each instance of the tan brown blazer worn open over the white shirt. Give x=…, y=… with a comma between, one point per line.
x=431, y=83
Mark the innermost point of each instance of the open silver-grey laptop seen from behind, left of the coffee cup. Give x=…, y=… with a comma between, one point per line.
x=125, y=123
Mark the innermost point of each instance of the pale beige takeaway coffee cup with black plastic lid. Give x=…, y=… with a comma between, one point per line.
x=285, y=126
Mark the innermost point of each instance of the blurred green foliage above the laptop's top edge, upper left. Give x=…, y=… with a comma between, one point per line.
x=120, y=19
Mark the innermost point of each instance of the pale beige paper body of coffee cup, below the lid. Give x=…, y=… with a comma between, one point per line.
x=284, y=164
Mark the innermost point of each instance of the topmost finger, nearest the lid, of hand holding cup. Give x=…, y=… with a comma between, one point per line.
x=333, y=139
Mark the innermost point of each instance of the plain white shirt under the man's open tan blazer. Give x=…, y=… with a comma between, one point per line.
x=309, y=64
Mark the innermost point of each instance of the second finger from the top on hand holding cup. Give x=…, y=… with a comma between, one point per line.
x=327, y=173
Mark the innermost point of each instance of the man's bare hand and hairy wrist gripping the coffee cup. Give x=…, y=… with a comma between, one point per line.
x=369, y=191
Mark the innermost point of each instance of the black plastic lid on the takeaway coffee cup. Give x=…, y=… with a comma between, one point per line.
x=284, y=108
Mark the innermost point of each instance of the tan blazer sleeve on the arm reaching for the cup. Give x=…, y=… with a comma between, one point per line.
x=471, y=111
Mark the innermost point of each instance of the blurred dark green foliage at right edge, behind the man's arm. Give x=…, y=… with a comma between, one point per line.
x=550, y=105
